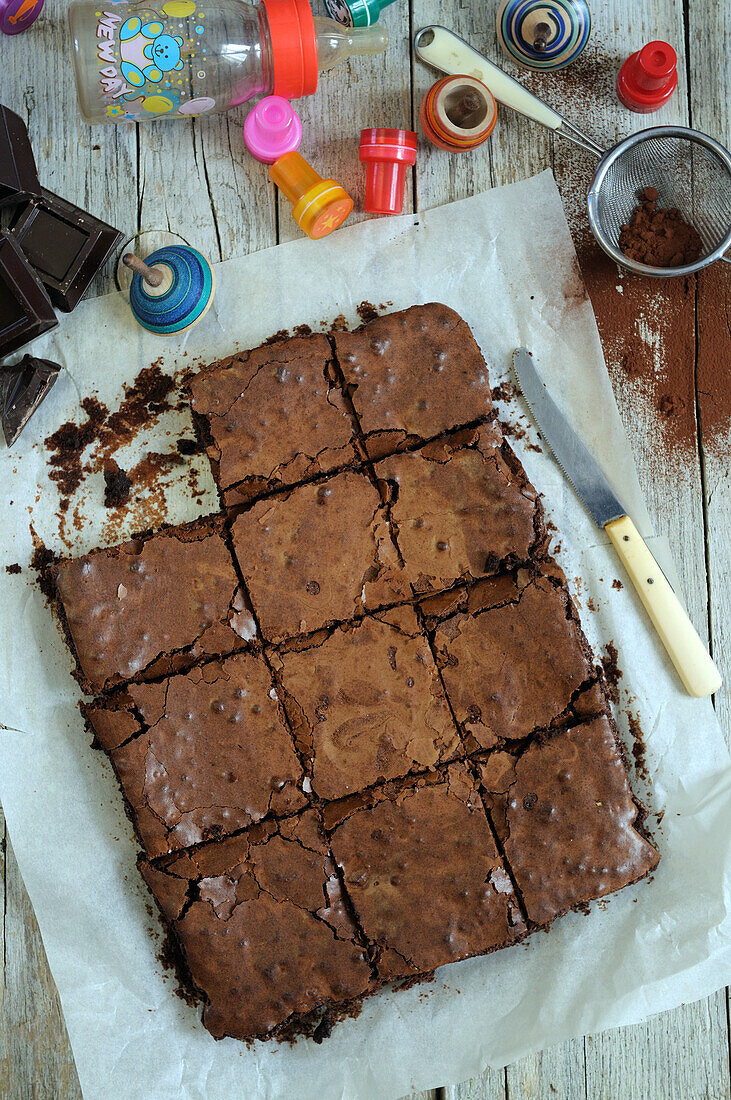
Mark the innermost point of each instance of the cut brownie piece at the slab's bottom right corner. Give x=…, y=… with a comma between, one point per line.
x=568, y=819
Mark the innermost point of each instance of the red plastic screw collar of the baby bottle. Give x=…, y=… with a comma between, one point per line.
x=294, y=48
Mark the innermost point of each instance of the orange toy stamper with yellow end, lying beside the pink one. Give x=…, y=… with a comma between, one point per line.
x=319, y=206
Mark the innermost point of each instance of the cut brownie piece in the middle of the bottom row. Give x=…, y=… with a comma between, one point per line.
x=425, y=877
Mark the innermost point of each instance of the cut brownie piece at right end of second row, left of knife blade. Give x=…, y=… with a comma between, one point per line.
x=462, y=508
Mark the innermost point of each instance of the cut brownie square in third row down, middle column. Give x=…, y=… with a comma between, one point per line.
x=367, y=705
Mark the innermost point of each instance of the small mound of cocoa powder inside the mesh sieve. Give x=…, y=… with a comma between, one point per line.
x=659, y=238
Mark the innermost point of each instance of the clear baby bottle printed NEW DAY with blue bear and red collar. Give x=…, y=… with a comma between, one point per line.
x=176, y=59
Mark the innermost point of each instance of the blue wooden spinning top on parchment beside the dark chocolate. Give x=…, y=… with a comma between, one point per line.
x=172, y=291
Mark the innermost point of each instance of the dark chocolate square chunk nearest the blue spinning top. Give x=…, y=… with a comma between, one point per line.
x=67, y=246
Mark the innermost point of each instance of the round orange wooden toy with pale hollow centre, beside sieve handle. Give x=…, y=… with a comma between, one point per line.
x=458, y=114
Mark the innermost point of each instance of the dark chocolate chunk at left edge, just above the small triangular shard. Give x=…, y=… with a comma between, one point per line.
x=26, y=310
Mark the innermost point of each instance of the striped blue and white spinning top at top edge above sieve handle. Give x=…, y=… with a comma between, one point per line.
x=544, y=35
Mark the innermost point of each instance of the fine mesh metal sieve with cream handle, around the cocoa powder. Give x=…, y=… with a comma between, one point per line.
x=691, y=171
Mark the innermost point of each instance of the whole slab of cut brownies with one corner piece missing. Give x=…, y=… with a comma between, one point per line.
x=356, y=720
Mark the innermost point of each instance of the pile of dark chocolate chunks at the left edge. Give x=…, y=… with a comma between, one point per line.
x=49, y=258
